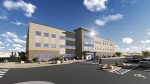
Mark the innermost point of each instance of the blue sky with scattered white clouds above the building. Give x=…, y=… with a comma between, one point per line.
x=126, y=22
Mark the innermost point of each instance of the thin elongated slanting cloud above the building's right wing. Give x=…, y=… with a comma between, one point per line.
x=104, y=20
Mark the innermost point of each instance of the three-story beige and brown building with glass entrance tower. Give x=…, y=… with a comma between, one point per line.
x=48, y=42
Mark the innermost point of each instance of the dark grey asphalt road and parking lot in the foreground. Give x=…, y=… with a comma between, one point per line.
x=75, y=73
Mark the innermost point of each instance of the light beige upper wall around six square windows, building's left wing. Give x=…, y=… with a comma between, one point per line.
x=33, y=38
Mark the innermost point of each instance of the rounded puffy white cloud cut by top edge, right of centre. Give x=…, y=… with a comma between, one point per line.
x=95, y=5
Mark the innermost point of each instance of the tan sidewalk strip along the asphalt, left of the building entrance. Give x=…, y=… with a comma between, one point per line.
x=31, y=65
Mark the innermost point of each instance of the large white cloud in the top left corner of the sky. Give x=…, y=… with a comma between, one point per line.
x=28, y=8
